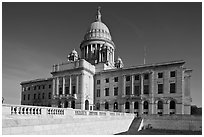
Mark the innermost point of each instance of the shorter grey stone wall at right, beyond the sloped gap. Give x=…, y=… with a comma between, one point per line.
x=174, y=122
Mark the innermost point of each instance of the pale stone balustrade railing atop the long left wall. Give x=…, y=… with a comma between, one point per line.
x=24, y=110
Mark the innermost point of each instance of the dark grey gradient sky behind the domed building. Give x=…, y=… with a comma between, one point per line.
x=38, y=35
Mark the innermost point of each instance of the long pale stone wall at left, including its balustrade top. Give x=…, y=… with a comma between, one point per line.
x=19, y=119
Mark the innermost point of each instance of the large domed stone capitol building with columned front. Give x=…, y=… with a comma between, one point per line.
x=96, y=80
